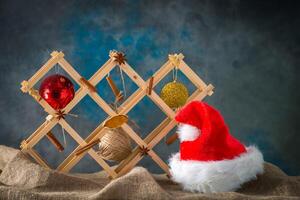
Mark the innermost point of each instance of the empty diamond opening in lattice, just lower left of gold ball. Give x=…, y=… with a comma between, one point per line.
x=141, y=117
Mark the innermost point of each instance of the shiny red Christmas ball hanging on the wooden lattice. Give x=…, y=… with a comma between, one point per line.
x=57, y=90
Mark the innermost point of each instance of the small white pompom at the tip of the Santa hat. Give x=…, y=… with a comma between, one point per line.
x=187, y=132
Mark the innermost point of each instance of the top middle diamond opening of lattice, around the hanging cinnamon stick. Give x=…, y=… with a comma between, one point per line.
x=105, y=91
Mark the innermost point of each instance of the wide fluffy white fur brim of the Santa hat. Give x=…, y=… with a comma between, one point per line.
x=217, y=176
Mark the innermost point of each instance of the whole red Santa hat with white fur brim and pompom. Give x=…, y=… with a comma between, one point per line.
x=210, y=159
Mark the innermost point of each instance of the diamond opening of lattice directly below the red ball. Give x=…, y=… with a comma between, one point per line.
x=48, y=151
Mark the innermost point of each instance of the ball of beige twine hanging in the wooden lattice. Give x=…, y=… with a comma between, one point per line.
x=115, y=145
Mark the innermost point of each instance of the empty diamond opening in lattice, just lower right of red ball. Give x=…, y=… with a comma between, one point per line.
x=89, y=116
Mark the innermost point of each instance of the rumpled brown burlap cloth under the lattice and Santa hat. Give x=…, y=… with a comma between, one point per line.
x=21, y=178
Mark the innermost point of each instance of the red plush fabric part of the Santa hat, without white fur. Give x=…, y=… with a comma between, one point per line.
x=215, y=142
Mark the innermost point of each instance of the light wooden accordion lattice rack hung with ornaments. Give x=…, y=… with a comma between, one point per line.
x=87, y=87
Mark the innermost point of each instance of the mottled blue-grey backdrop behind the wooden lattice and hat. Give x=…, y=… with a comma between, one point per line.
x=249, y=50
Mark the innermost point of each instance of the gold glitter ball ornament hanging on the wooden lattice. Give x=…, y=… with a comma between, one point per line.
x=174, y=94
